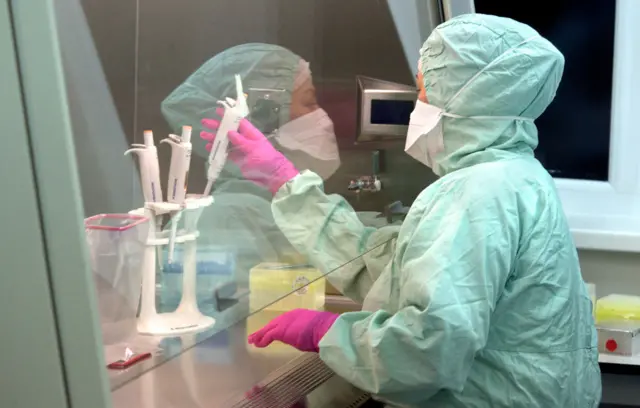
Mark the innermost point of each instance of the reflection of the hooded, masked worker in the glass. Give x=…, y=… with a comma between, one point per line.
x=282, y=101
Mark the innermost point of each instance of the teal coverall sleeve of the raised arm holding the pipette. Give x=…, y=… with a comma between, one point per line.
x=326, y=229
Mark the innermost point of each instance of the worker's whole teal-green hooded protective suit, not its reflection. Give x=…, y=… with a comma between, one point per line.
x=477, y=300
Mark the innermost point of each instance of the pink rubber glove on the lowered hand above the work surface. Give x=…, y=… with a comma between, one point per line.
x=300, y=328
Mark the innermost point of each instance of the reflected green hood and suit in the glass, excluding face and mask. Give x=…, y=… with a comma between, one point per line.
x=240, y=218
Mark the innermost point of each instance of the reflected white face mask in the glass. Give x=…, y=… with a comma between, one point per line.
x=312, y=134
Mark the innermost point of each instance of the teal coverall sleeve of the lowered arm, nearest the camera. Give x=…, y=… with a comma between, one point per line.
x=448, y=275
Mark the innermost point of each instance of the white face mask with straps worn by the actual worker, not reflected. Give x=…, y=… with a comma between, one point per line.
x=425, y=138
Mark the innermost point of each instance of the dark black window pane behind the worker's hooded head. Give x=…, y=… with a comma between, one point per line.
x=574, y=131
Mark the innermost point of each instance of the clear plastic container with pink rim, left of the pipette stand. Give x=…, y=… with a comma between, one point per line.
x=116, y=246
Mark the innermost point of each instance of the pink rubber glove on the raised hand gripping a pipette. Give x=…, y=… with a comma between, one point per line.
x=258, y=160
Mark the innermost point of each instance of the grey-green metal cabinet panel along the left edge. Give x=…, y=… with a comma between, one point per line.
x=47, y=293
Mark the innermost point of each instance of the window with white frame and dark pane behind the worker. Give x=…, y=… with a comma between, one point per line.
x=589, y=137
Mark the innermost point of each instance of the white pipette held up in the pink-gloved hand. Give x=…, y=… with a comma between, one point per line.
x=234, y=112
